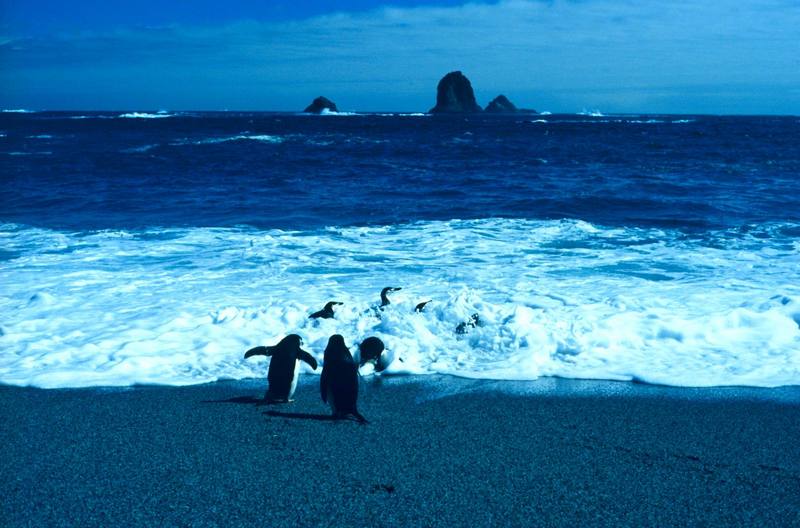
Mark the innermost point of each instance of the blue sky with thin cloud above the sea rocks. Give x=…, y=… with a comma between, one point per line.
x=666, y=56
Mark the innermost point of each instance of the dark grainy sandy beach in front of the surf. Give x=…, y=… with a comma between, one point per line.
x=438, y=452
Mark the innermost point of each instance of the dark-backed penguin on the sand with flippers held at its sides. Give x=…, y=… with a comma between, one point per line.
x=338, y=384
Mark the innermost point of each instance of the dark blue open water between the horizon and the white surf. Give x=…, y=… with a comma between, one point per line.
x=88, y=171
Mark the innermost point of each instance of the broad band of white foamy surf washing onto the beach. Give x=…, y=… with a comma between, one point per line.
x=555, y=298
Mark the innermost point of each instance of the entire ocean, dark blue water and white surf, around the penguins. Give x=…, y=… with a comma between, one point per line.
x=156, y=248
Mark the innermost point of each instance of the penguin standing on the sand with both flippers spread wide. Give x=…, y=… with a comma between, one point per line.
x=284, y=367
